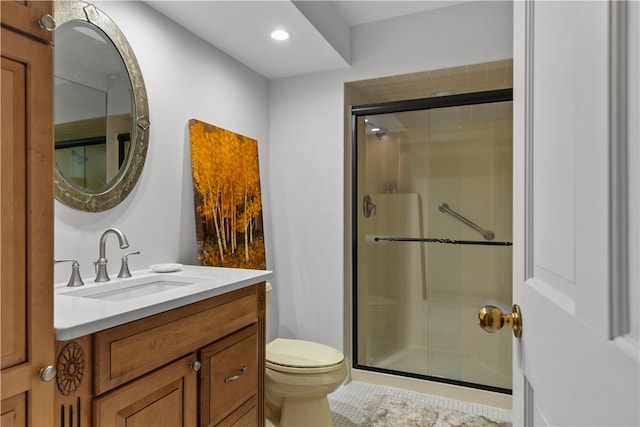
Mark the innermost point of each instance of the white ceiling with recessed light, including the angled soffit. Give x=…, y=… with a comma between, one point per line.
x=320, y=30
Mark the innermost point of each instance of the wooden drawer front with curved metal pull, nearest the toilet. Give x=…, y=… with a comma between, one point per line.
x=229, y=374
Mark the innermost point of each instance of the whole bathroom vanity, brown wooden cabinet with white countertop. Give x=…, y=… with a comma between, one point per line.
x=190, y=353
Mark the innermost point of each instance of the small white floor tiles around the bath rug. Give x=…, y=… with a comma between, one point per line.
x=348, y=402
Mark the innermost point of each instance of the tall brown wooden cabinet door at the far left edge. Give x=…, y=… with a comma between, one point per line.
x=26, y=230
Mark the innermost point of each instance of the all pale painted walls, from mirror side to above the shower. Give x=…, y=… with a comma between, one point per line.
x=298, y=123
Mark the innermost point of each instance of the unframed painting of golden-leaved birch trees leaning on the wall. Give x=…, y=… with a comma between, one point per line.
x=228, y=202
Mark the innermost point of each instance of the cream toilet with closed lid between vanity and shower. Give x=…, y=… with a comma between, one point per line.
x=299, y=375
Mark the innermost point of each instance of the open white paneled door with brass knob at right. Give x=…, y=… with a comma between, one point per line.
x=576, y=213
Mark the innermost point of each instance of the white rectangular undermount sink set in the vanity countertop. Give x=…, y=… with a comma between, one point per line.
x=134, y=288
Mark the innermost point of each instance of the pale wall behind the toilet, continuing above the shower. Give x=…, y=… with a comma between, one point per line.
x=306, y=153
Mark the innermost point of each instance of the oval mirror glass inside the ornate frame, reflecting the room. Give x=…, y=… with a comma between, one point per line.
x=93, y=107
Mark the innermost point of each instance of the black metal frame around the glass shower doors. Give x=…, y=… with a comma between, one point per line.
x=458, y=100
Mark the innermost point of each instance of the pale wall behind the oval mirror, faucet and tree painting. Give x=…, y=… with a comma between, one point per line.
x=185, y=78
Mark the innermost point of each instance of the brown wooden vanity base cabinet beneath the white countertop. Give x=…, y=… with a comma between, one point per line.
x=197, y=365
